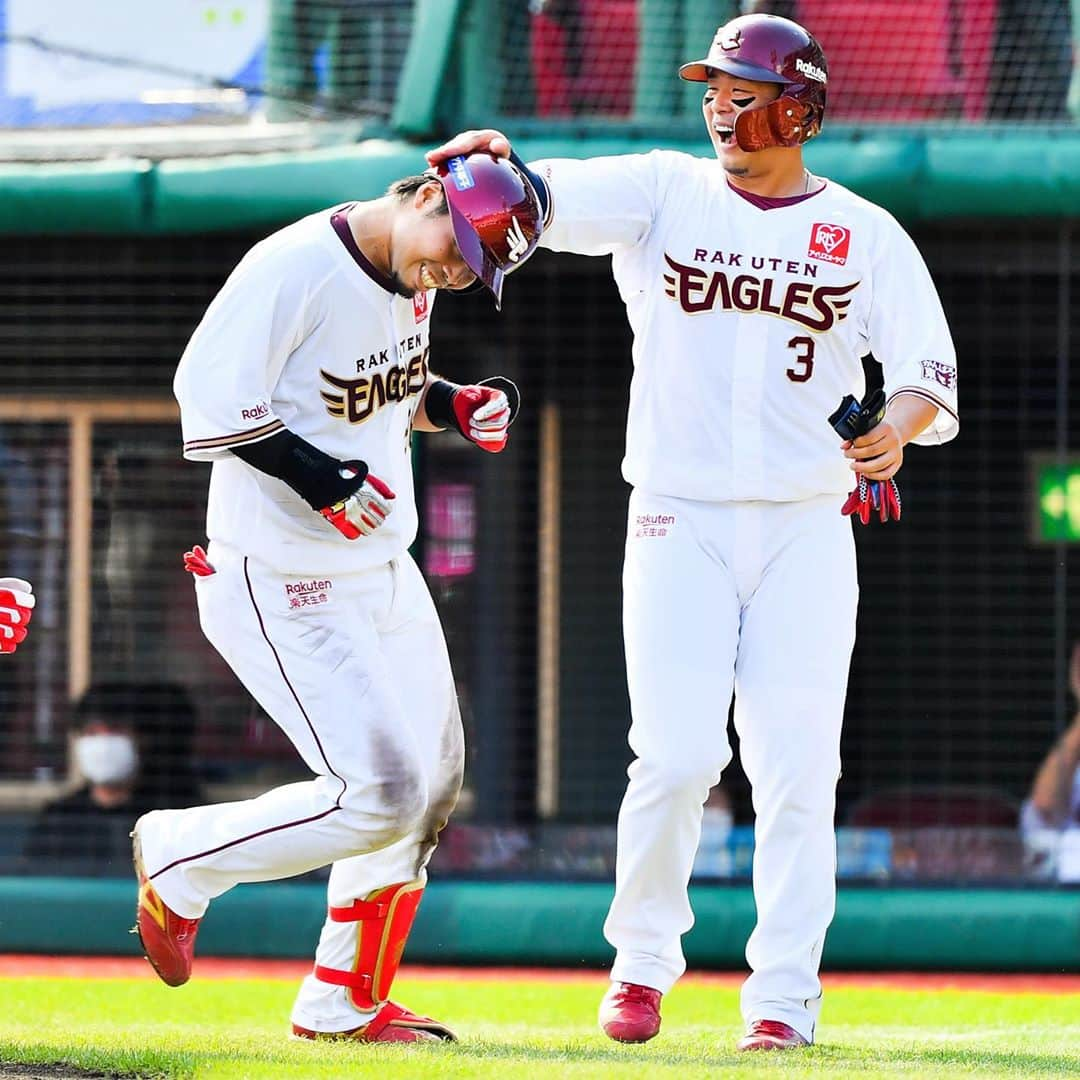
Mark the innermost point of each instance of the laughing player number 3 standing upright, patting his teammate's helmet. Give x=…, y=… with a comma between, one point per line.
x=753, y=289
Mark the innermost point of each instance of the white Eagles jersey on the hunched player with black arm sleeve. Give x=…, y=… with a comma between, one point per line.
x=309, y=336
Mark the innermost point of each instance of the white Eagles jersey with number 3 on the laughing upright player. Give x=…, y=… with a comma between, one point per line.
x=750, y=325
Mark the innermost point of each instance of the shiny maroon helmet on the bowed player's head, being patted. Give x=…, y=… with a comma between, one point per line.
x=496, y=214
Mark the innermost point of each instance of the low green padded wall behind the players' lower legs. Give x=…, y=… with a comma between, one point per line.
x=556, y=924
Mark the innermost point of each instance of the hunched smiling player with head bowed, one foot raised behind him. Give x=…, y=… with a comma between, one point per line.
x=303, y=385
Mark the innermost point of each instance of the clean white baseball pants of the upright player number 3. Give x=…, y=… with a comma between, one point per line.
x=760, y=599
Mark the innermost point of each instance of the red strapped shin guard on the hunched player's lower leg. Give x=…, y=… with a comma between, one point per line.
x=386, y=917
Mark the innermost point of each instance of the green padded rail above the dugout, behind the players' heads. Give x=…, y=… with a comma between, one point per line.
x=917, y=174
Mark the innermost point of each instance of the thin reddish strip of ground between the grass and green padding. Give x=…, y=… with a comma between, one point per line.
x=130, y=967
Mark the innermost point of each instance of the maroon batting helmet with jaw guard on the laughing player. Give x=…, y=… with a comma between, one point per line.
x=771, y=49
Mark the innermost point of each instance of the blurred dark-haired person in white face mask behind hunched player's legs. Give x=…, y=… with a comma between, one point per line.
x=89, y=828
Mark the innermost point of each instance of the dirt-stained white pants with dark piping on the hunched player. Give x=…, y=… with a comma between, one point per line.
x=360, y=681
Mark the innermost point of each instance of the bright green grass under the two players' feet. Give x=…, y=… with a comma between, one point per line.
x=532, y=1029
